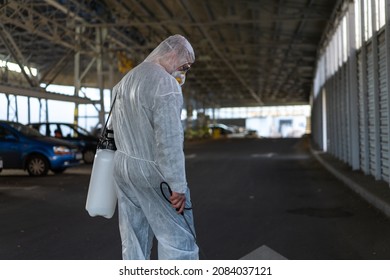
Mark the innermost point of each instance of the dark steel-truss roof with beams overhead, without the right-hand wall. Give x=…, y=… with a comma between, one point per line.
x=248, y=53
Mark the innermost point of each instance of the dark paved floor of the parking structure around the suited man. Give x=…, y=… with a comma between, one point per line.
x=269, y=196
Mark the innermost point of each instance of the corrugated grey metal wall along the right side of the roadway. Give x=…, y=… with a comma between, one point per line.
x=351, y=94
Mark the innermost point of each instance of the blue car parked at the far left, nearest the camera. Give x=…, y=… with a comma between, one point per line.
x=22, y=147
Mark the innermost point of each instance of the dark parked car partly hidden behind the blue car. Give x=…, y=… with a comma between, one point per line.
x=72, y=133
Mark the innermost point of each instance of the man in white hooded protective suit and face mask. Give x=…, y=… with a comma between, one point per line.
x=149, y=137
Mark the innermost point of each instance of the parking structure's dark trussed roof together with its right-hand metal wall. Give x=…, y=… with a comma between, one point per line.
x=333, y=55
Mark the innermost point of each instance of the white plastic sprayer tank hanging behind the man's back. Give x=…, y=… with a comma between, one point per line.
x=102, y=197
